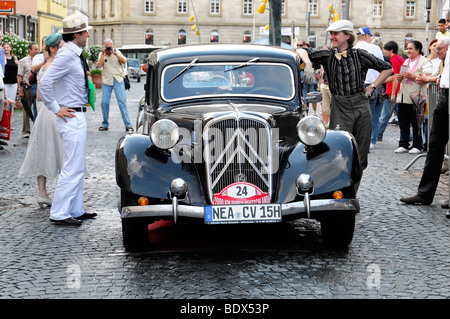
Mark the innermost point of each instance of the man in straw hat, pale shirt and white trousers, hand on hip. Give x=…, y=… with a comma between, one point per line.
x=64, y=90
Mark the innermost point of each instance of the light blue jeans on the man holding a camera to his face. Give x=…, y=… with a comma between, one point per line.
x=119, y=91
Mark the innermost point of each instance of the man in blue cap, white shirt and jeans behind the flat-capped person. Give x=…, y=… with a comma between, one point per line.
x=364, y=38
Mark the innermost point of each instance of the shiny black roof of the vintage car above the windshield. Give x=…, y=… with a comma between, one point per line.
x=223, y=52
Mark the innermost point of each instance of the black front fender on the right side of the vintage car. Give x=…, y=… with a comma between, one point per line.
x=333, y=165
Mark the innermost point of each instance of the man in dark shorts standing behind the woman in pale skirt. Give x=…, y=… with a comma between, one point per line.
x=27, y=90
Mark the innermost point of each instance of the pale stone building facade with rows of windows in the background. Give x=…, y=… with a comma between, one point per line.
x=168, y=22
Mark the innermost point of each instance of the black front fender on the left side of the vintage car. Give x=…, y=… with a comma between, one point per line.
x=143, y=169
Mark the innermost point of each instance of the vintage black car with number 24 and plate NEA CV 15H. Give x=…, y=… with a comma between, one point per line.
x=221, y=139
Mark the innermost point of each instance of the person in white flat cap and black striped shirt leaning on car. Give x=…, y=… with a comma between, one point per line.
x=346, y=70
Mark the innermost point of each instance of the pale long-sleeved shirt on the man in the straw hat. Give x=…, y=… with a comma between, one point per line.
x=63, y=83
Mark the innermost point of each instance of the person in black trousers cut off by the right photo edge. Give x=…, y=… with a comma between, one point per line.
x=438, y=141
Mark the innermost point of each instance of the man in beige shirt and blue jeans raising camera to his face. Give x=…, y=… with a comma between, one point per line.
x=111, y=60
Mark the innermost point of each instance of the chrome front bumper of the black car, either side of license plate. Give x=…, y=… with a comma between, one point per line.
x=175, y=210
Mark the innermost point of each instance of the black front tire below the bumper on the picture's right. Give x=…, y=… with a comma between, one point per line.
x=338, y=229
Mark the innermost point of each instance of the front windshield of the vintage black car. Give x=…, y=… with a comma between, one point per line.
x=270, y=80
